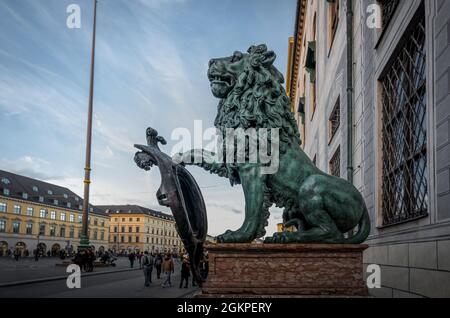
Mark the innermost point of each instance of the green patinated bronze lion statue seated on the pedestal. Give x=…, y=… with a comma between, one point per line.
x=320, y=206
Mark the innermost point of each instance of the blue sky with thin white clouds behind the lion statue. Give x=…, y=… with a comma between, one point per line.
x=151, y=63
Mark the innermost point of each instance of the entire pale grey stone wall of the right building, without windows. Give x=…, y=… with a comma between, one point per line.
x=414, y=256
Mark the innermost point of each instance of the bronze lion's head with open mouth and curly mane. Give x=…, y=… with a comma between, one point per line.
x=251, y=93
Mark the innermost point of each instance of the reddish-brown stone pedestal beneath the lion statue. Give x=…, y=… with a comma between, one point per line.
x=292, y=269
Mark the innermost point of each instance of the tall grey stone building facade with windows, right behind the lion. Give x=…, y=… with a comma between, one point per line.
x=374, y=107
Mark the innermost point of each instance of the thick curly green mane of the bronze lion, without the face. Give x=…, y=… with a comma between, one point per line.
x=259, y=100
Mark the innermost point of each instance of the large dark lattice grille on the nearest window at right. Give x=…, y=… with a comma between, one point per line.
x=404, y=131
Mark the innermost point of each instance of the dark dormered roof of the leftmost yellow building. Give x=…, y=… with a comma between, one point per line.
x=33, y=190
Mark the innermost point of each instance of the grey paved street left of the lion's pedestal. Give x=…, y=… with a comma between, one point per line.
x=122, y=284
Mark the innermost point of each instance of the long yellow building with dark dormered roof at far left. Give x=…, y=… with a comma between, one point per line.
x=38, y=214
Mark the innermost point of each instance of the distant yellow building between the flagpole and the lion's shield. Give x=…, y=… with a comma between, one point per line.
x=136, y=228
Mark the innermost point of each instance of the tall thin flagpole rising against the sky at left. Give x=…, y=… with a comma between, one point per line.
x=84, y=240
